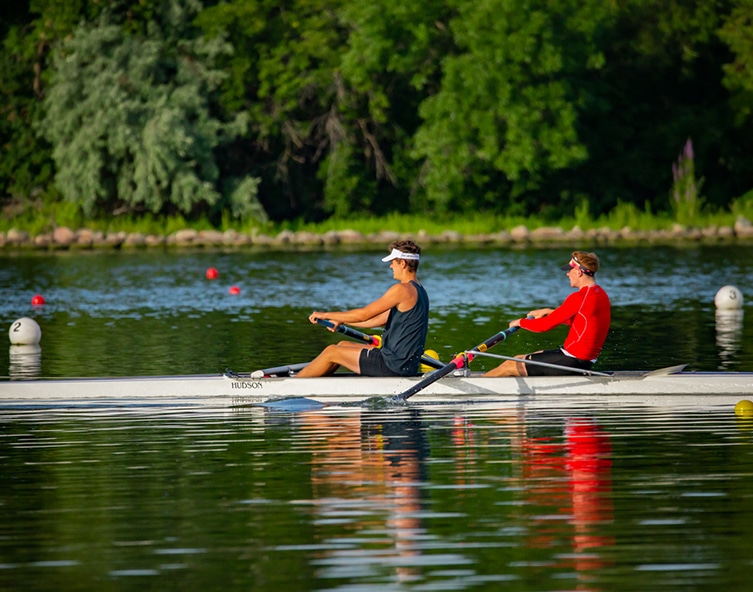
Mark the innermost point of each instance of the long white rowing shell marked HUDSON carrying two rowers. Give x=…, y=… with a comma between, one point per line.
x=668, y=386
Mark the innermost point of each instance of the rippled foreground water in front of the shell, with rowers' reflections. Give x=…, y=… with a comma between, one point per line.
x=418, y=499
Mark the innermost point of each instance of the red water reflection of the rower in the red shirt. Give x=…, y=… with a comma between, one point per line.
x=562, y=484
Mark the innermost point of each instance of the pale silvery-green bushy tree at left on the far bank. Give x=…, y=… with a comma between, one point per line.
x=128, y=112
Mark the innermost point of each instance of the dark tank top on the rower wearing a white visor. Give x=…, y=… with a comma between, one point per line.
x=404, y=336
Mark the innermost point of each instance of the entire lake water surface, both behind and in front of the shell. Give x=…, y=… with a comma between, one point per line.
x=582, y=497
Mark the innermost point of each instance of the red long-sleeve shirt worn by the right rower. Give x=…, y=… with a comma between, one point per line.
x=587, y=311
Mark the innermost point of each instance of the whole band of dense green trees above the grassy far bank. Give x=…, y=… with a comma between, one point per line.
x=304, y=109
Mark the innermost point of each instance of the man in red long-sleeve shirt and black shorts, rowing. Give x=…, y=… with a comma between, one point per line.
x=587, y=312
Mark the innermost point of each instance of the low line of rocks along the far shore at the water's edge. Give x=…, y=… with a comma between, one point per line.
x=64, y=238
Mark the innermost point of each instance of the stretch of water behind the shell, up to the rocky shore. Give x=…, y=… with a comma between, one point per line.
x=155, y=313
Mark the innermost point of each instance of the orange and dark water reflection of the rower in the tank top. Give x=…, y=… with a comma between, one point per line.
x=366, y=475
